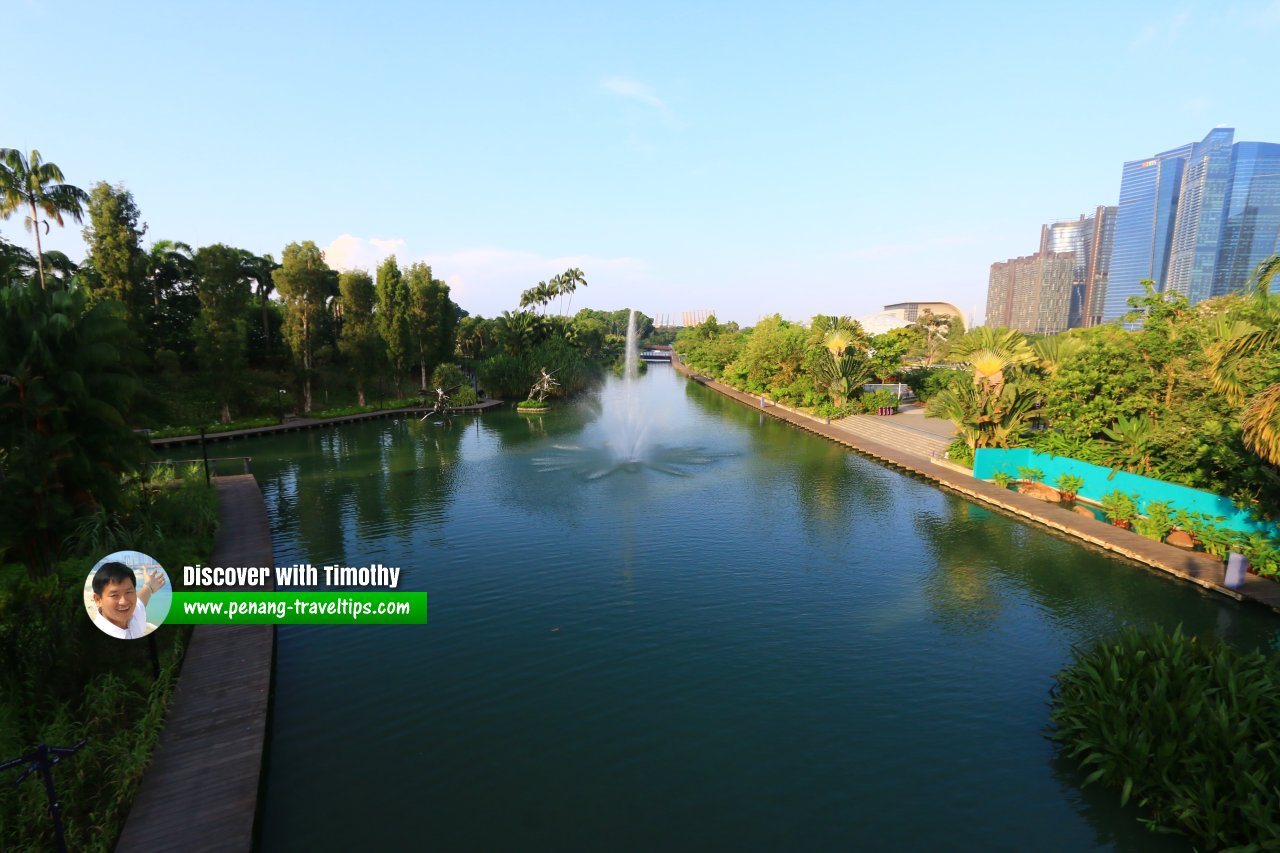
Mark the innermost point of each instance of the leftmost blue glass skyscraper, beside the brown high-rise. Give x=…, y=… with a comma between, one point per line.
x=1150, y=193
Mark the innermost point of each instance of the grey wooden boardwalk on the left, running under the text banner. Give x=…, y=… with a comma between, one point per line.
x=202, y=790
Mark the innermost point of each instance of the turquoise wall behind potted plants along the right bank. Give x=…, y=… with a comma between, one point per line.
x=1099, y=481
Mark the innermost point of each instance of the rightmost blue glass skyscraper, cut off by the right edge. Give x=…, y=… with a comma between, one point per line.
x=1251, y=220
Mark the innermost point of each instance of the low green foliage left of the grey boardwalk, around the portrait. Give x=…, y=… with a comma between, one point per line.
x=62, y=679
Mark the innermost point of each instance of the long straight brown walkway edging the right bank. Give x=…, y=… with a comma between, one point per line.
x=1199, y=568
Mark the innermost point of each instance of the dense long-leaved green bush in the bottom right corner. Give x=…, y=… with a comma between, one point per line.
x=1182, y=726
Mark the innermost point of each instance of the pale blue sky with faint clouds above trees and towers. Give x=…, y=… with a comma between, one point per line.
x=747, y=159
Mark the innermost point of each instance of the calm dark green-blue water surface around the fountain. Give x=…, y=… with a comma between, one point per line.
x=761, y=641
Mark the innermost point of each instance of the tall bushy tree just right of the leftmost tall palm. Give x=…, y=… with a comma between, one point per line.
x=113, y=236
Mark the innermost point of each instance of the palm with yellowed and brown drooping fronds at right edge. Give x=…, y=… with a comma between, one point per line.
x=1261, y=422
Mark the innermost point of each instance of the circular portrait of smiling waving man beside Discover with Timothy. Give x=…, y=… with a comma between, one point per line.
x=127, y=595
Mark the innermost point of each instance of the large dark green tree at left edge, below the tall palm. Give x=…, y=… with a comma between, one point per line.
x=65, y=390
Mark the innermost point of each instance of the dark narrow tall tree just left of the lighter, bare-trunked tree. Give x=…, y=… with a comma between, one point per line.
x=221, y=330
